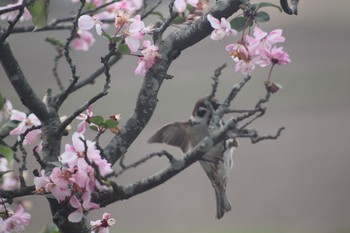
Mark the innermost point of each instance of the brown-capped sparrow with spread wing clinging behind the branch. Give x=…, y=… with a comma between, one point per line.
x=217, y=162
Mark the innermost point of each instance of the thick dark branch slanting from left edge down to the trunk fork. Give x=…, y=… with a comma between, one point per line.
x=19, y=82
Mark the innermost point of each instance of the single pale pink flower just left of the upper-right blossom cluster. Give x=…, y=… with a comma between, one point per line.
x=222, y=28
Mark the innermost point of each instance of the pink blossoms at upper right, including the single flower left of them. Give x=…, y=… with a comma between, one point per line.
x=259, y=49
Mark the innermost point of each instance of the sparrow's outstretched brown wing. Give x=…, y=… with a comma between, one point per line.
x=174, y=134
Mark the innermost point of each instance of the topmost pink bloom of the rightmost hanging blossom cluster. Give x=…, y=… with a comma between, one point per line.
x=263, y=40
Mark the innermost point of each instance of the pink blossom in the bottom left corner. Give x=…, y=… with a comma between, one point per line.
x=17, y=221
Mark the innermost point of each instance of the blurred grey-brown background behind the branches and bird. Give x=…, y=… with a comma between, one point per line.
x=298, y=183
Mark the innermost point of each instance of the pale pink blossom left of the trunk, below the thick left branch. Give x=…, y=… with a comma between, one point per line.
x=25, y=123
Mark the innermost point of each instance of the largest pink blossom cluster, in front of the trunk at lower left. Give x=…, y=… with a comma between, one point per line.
x=78, y=178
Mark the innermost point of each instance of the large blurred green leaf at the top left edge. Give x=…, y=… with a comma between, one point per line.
x=39, y=11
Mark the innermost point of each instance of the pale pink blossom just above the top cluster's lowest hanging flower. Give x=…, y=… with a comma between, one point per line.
x=134, y=33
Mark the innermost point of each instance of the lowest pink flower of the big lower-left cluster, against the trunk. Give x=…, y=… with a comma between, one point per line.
x=87, y=205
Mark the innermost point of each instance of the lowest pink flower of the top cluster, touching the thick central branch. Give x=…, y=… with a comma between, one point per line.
x=150, y=53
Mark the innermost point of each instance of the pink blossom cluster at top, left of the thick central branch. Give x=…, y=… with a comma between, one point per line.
x=131, y=29
